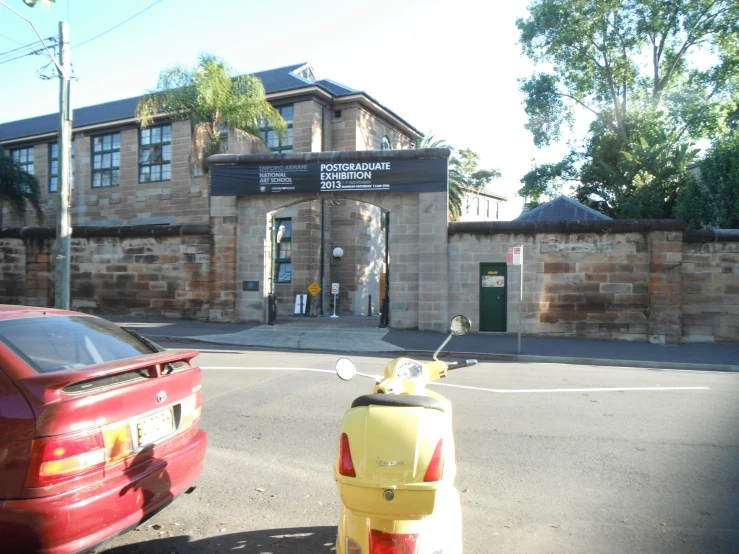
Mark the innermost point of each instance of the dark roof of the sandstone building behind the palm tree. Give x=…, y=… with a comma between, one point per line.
x=275, y=80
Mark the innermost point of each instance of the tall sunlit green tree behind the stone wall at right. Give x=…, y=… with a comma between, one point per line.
x=654, y=76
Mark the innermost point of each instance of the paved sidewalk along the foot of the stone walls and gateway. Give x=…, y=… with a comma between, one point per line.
x=361, y=335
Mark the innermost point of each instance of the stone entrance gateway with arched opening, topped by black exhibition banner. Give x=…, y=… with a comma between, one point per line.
x=387, y=206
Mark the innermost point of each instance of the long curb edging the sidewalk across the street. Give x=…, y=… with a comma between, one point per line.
x=523, y=358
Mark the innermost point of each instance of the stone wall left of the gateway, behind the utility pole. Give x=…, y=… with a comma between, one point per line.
x=145, y=271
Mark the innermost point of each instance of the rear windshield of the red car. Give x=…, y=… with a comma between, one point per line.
x=55, y=343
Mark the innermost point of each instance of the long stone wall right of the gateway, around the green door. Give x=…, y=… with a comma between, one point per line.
x=633, y=280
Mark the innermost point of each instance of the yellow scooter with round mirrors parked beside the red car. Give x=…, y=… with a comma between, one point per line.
x=395, y=467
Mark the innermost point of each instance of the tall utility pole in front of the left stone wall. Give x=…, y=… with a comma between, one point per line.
x=64, y=224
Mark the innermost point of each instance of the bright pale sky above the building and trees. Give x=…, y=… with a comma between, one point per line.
x=449, y=68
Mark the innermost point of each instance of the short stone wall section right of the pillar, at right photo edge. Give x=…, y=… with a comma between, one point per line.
x=710, y=288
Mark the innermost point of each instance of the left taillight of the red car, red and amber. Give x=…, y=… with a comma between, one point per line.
x=59, y=459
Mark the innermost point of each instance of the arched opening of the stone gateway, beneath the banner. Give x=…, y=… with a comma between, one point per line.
x=302, y=237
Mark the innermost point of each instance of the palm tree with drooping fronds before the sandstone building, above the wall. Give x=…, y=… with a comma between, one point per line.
x=215, y=101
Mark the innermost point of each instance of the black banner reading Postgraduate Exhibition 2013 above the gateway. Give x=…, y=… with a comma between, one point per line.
x=420, y=175
